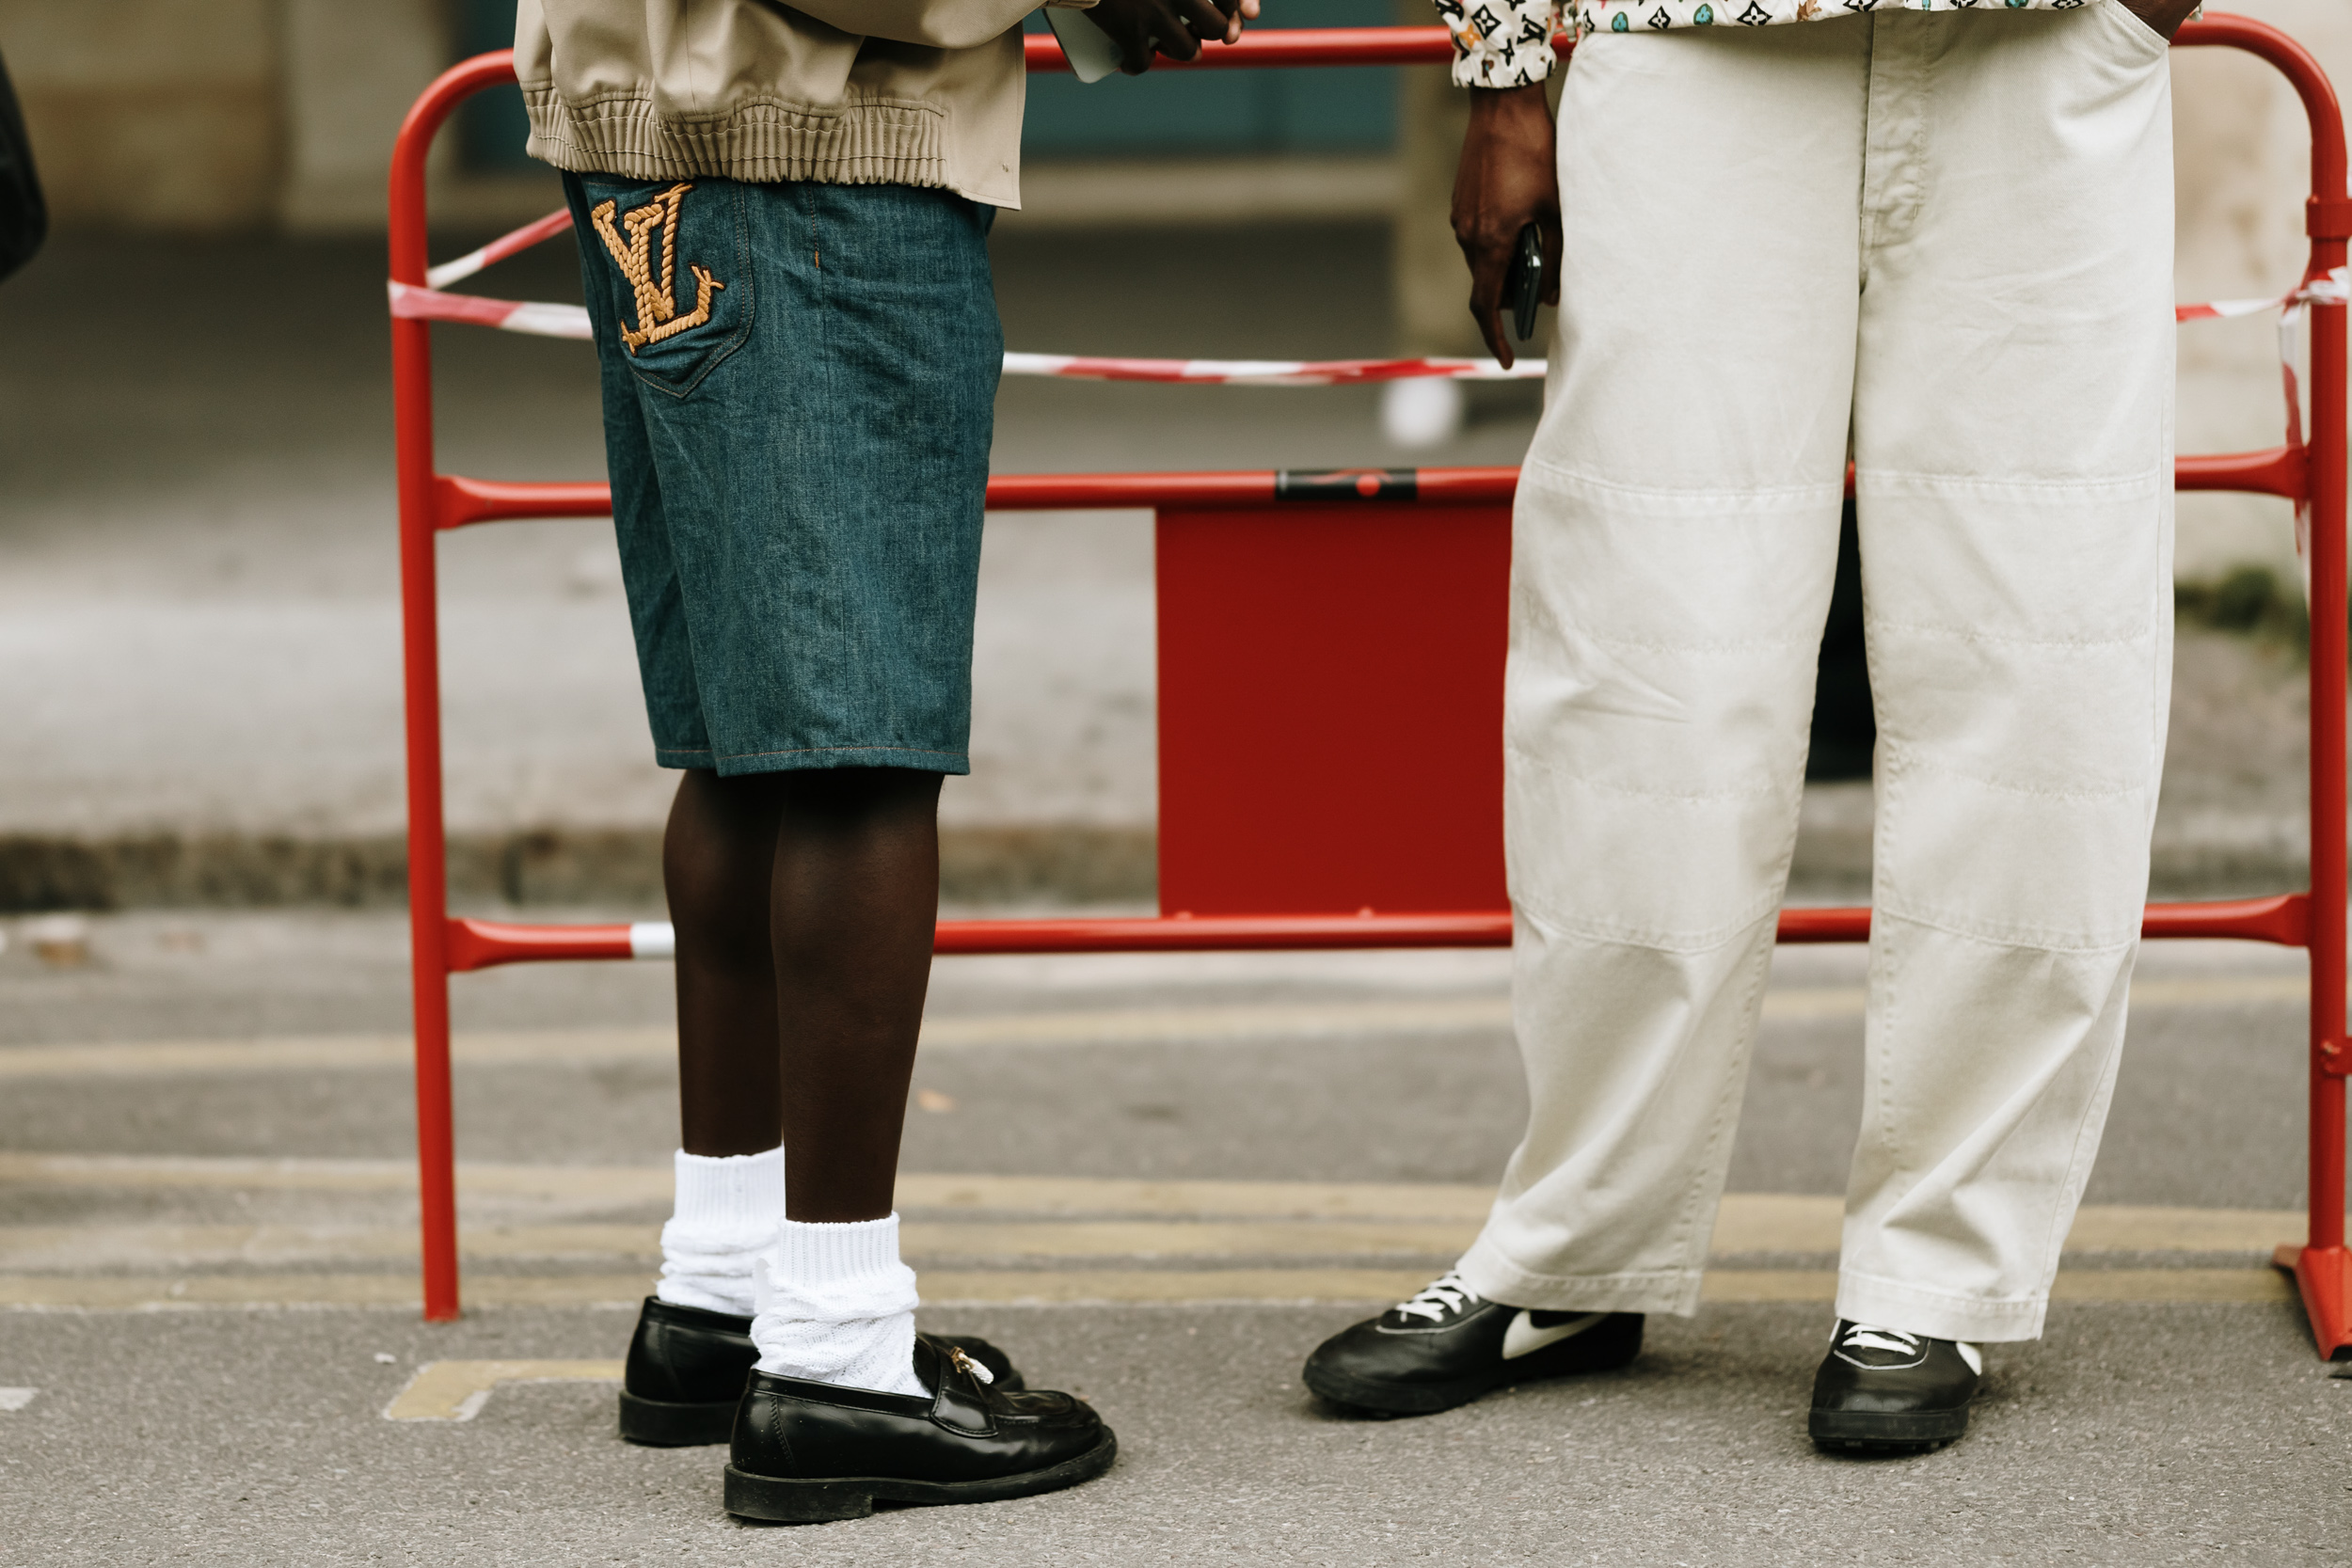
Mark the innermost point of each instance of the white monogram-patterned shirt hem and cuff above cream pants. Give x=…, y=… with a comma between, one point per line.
x=1509, y=43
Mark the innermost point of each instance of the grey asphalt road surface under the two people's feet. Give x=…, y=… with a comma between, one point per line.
x=1158, y=1181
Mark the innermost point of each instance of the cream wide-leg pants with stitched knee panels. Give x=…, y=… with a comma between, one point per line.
x=1949, y=241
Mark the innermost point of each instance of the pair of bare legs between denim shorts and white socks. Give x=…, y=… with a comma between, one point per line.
x=803, y=909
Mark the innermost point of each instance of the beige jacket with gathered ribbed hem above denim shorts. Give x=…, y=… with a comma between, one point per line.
x=895, y=93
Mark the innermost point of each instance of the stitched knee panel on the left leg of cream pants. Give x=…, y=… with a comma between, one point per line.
x=1657, y=702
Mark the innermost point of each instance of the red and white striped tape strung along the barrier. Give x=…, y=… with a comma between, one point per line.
x=432, y=304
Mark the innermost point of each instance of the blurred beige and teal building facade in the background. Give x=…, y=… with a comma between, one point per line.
x=234, y=116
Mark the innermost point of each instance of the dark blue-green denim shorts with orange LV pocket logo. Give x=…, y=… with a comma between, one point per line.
x=799, y=401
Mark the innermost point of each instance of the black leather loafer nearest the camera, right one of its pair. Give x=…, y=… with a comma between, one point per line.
x=810, y=1452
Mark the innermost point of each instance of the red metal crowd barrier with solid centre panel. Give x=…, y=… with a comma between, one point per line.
x=1307, y=610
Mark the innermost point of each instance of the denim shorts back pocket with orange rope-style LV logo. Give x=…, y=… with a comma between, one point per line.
x=676, y=260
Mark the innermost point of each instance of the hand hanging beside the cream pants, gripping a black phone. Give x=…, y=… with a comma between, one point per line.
x=1506, y=182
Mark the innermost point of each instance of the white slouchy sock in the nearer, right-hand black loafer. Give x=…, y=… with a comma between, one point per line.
x=836, y=1306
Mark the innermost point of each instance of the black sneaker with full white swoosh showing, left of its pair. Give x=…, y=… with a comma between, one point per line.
x=1448, y=1346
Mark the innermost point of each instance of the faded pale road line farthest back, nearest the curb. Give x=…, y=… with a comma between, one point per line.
x=968, y=1033
